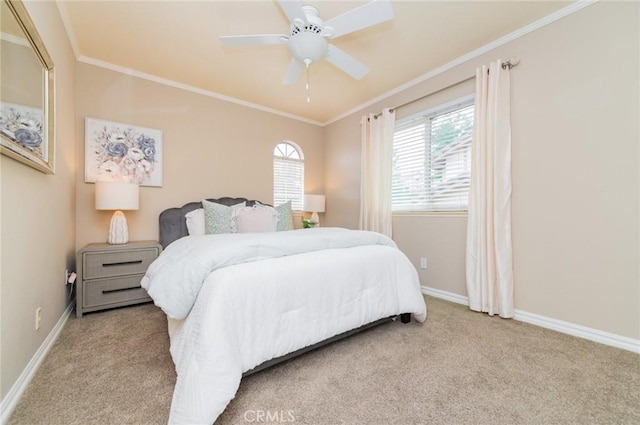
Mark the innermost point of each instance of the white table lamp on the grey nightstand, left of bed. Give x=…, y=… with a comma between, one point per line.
x=117, y=196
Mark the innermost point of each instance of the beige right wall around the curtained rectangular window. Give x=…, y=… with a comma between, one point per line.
x=575, y=159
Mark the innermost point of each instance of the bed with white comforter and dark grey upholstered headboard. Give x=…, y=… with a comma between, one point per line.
x=239, y=302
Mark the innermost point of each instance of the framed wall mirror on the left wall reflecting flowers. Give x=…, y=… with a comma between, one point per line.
x=26, y=92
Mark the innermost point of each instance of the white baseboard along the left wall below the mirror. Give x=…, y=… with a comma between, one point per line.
x=12, y=398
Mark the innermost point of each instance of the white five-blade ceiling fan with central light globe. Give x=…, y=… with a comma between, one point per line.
x=307, y=39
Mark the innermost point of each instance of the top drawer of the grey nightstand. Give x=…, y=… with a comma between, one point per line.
x=117, y=263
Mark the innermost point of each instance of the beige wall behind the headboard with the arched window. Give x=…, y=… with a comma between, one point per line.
x=211, y=148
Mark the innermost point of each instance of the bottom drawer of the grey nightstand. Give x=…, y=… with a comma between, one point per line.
x=102, y=292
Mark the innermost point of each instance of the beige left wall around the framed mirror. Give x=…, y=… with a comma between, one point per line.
x=37, y=223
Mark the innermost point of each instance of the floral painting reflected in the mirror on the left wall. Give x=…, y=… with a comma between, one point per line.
x=22, y=126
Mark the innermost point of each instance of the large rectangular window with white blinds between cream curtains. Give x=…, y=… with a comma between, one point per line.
x=432, y=159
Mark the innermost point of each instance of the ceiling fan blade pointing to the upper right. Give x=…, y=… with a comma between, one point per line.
x=368, y=14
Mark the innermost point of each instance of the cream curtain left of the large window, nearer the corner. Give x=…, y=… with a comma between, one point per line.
x=375, y=179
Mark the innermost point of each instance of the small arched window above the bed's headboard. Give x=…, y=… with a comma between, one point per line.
x=288, y=175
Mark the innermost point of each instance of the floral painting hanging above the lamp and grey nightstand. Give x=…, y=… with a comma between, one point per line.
x=122, y=152
